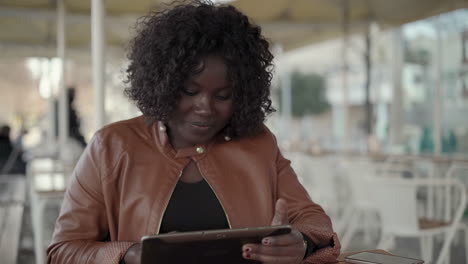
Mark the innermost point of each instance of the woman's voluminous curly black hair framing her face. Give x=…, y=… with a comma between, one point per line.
x=170, y=43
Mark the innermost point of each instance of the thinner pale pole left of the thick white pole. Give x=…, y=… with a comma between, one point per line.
x=63, y=98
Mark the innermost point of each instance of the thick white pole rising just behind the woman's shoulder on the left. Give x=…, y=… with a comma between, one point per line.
x=97, y=49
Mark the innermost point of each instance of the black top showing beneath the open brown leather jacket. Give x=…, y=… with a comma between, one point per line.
x=193, y=207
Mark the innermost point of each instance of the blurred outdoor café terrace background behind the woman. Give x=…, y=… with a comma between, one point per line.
x=372, y=100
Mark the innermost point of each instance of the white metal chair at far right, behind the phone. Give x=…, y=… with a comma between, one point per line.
x=397, y=205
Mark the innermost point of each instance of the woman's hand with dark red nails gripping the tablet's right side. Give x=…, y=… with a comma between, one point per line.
x=289, y=248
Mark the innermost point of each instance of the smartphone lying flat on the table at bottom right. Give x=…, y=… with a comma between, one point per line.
x=373, y=258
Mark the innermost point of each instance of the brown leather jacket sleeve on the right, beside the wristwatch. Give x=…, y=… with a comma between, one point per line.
x=306, y=216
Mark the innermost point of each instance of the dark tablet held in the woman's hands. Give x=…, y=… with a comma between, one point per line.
x=211, y=246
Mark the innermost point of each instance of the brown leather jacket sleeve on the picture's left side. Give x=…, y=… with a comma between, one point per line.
x=81, y=231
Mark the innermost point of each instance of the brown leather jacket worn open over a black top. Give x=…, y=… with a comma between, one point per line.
x=123, y=181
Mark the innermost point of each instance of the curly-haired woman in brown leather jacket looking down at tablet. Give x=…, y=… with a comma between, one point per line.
x=200, y=74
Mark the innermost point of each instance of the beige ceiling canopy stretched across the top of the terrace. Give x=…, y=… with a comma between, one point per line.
x=29, y=26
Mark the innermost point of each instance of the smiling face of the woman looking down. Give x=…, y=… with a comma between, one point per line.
x=205, y=106
